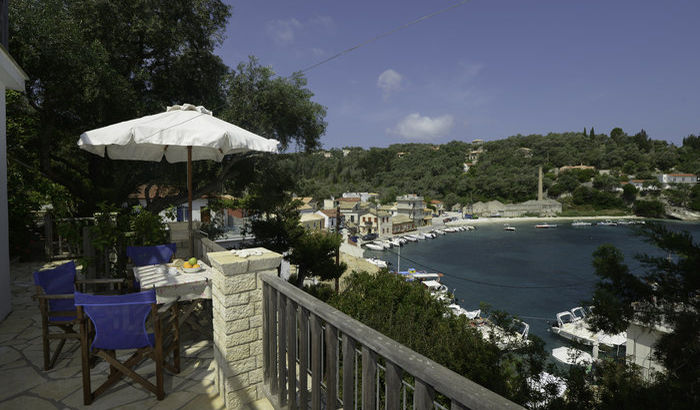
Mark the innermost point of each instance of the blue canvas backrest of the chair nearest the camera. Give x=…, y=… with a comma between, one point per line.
x=120, y=321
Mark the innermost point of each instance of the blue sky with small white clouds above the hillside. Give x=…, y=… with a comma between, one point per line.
x=486, y=69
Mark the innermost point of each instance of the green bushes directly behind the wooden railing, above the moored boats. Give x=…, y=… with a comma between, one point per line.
x=408, y=314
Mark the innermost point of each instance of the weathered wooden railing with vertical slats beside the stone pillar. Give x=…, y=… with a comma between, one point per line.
x=306, y=340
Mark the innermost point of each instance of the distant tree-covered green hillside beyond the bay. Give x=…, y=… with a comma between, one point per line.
x=504, y=169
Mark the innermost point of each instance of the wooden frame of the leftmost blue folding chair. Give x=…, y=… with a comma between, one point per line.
x=67, y=327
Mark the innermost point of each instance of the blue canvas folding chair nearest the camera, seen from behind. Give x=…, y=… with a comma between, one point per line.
x=119, y=323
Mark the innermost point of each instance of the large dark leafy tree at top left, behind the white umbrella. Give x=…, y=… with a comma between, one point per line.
x=95, y=63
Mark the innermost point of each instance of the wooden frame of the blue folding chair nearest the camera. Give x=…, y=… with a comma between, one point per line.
x=117, y=369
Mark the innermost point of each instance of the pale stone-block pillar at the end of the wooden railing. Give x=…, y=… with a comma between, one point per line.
x=238, y=332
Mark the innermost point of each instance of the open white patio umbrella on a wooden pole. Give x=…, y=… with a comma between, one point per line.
x=181, y=133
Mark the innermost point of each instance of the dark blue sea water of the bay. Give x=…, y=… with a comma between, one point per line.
x=530, y=273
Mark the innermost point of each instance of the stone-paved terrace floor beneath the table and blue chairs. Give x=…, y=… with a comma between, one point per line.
x=24, y=383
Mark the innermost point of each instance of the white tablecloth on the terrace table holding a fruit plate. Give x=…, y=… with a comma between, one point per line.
x=174, y=284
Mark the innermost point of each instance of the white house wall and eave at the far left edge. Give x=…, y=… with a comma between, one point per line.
x=11, y=77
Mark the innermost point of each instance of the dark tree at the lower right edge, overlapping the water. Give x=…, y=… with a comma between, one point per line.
x=665, y=294
